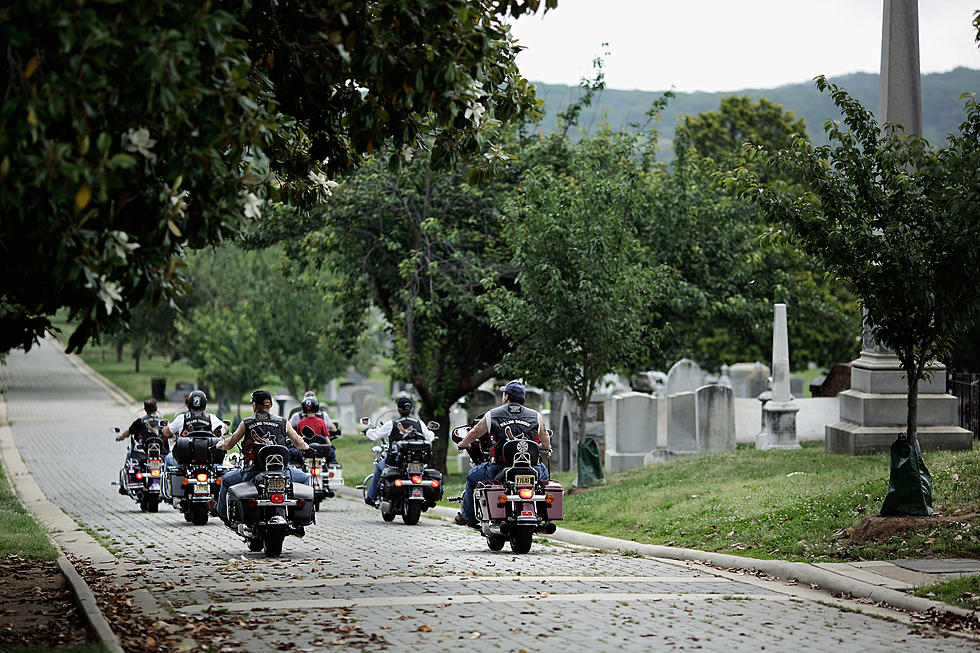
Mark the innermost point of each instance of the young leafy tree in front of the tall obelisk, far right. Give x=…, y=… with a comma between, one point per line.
x=894, y=217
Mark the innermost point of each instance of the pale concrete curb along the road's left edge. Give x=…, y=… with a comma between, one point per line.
x=53, y=520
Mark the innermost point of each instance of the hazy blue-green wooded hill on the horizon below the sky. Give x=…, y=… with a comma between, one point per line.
x=942, y=110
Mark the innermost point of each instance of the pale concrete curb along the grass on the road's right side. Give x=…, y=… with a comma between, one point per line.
x=801, y=572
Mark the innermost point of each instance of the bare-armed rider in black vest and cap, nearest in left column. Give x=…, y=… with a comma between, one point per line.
x=254, y=432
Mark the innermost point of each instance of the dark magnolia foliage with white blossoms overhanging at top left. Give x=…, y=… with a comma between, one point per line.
x=132, y=131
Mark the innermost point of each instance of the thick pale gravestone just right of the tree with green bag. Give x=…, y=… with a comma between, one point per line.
x=630, y=429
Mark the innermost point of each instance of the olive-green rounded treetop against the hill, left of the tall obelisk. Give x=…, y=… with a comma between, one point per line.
x=719, y=135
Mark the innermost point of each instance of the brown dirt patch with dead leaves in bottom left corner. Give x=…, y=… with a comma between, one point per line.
x=37, y=606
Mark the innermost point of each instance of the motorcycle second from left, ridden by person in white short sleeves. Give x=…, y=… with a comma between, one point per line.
x=190, y=487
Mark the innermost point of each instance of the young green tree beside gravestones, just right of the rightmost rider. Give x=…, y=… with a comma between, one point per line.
x=584, y=304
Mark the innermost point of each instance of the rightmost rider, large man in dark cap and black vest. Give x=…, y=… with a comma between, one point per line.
x=522, y=421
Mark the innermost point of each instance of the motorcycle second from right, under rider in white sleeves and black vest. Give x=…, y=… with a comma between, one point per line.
x=408, y=487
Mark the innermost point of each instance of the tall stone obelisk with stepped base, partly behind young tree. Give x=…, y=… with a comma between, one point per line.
x=873, y=411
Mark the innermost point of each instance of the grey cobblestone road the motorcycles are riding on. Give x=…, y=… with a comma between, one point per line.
x=357, y=583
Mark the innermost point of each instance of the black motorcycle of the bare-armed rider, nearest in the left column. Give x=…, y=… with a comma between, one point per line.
x=267, y=508
